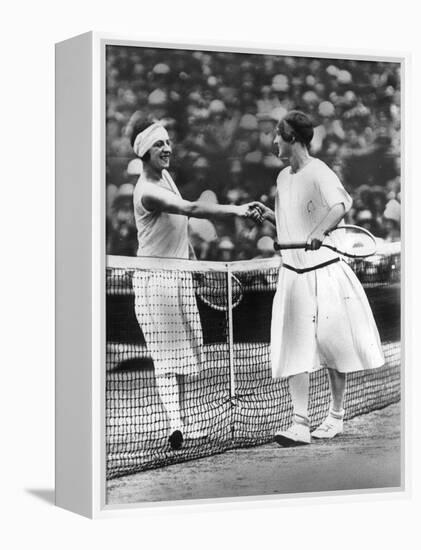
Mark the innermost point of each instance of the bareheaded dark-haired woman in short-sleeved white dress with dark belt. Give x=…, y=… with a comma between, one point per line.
x=321, y=315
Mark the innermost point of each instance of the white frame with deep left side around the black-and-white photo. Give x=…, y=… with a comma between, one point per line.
x=81, y=264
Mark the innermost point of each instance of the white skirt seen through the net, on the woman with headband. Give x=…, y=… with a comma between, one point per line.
x=167, y=313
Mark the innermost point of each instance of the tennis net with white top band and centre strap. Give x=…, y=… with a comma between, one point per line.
x=193, y=315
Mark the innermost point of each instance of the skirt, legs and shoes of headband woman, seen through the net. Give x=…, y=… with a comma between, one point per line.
x=166, y=318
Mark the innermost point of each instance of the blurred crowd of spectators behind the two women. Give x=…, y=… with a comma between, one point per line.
x=221, y=110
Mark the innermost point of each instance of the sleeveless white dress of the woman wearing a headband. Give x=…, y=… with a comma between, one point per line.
x=165, y=303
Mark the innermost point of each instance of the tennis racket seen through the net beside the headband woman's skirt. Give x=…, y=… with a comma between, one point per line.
x=212, y=289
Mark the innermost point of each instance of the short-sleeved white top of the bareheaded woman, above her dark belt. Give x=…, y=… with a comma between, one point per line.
x=303, y=199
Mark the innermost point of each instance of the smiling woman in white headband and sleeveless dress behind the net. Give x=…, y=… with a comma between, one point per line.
x=166, y=310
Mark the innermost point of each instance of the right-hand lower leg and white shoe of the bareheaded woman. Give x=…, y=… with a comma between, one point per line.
x=333, y=423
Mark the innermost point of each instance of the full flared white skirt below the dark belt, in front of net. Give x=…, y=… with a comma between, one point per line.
x=322, y=318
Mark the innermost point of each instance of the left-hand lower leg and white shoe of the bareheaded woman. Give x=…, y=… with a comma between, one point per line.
x=299, y=432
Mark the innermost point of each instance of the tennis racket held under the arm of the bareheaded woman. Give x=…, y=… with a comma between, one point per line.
x=348, y=240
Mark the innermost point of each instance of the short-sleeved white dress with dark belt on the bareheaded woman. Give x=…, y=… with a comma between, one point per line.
x=320, y=317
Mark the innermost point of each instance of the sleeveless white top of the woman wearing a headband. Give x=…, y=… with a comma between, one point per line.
x=159, y=234
